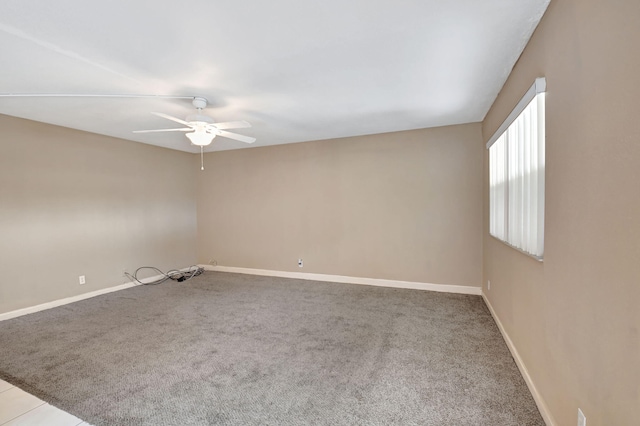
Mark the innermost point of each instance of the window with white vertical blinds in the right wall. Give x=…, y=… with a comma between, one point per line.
x=516, y=175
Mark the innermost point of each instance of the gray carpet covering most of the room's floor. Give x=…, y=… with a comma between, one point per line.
x=234, y=349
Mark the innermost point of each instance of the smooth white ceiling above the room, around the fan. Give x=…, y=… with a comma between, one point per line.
x=297, y=70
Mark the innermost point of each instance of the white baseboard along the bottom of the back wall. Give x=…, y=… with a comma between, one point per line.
x=445, y=288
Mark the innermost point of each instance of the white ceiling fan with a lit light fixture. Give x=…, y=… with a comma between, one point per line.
x=201, y=128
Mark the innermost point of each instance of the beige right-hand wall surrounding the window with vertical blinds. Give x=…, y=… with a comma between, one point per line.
x=575, y=318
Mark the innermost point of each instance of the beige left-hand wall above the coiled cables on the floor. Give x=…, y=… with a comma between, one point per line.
x=74, y=203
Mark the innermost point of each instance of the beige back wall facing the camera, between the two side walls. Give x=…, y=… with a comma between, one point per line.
x=401, y=206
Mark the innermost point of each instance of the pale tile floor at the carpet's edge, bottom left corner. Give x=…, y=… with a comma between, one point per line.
x=20, y=408
